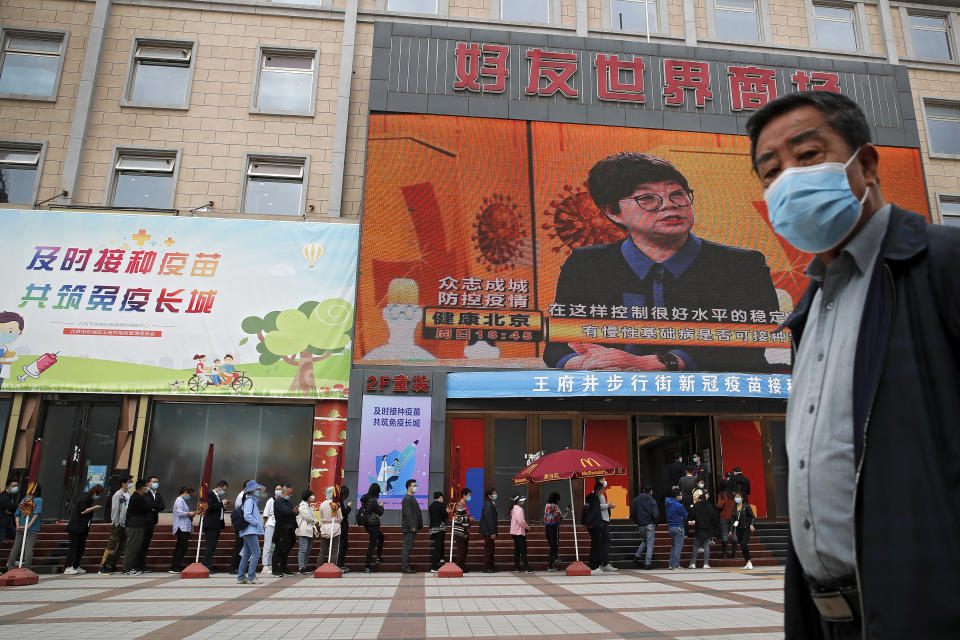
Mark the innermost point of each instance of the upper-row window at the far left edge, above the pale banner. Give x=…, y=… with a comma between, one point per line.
x=31, y=64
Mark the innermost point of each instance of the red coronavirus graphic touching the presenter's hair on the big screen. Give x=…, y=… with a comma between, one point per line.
x=575, y=221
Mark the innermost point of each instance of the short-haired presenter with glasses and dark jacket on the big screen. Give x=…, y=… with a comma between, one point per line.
x=661, y=271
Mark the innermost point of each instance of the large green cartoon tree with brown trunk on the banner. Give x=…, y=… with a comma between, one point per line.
x=312, y=332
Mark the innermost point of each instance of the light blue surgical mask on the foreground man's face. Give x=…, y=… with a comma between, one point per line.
x=813, y=208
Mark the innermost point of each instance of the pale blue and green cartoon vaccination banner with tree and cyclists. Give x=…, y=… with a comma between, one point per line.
x=102, y=302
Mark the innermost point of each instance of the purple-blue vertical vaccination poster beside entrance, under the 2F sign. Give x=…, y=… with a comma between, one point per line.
x=395, y=446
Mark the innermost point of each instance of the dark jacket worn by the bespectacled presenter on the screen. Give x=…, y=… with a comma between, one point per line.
x=720, y=277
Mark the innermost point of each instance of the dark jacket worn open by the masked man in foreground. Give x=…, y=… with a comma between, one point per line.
x=906, y=376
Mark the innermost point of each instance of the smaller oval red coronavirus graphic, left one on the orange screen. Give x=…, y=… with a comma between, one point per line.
x=500, y=233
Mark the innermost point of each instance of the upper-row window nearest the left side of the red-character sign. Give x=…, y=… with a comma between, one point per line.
x=286, y=82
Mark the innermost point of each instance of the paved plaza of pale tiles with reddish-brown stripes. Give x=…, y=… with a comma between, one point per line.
x=690, y=604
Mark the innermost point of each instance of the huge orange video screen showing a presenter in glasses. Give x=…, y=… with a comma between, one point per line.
x=532, y=245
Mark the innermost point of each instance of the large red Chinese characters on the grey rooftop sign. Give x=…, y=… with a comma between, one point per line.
x=484, y=67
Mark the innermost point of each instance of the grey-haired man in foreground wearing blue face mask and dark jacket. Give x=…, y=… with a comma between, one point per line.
x=874, y=383
